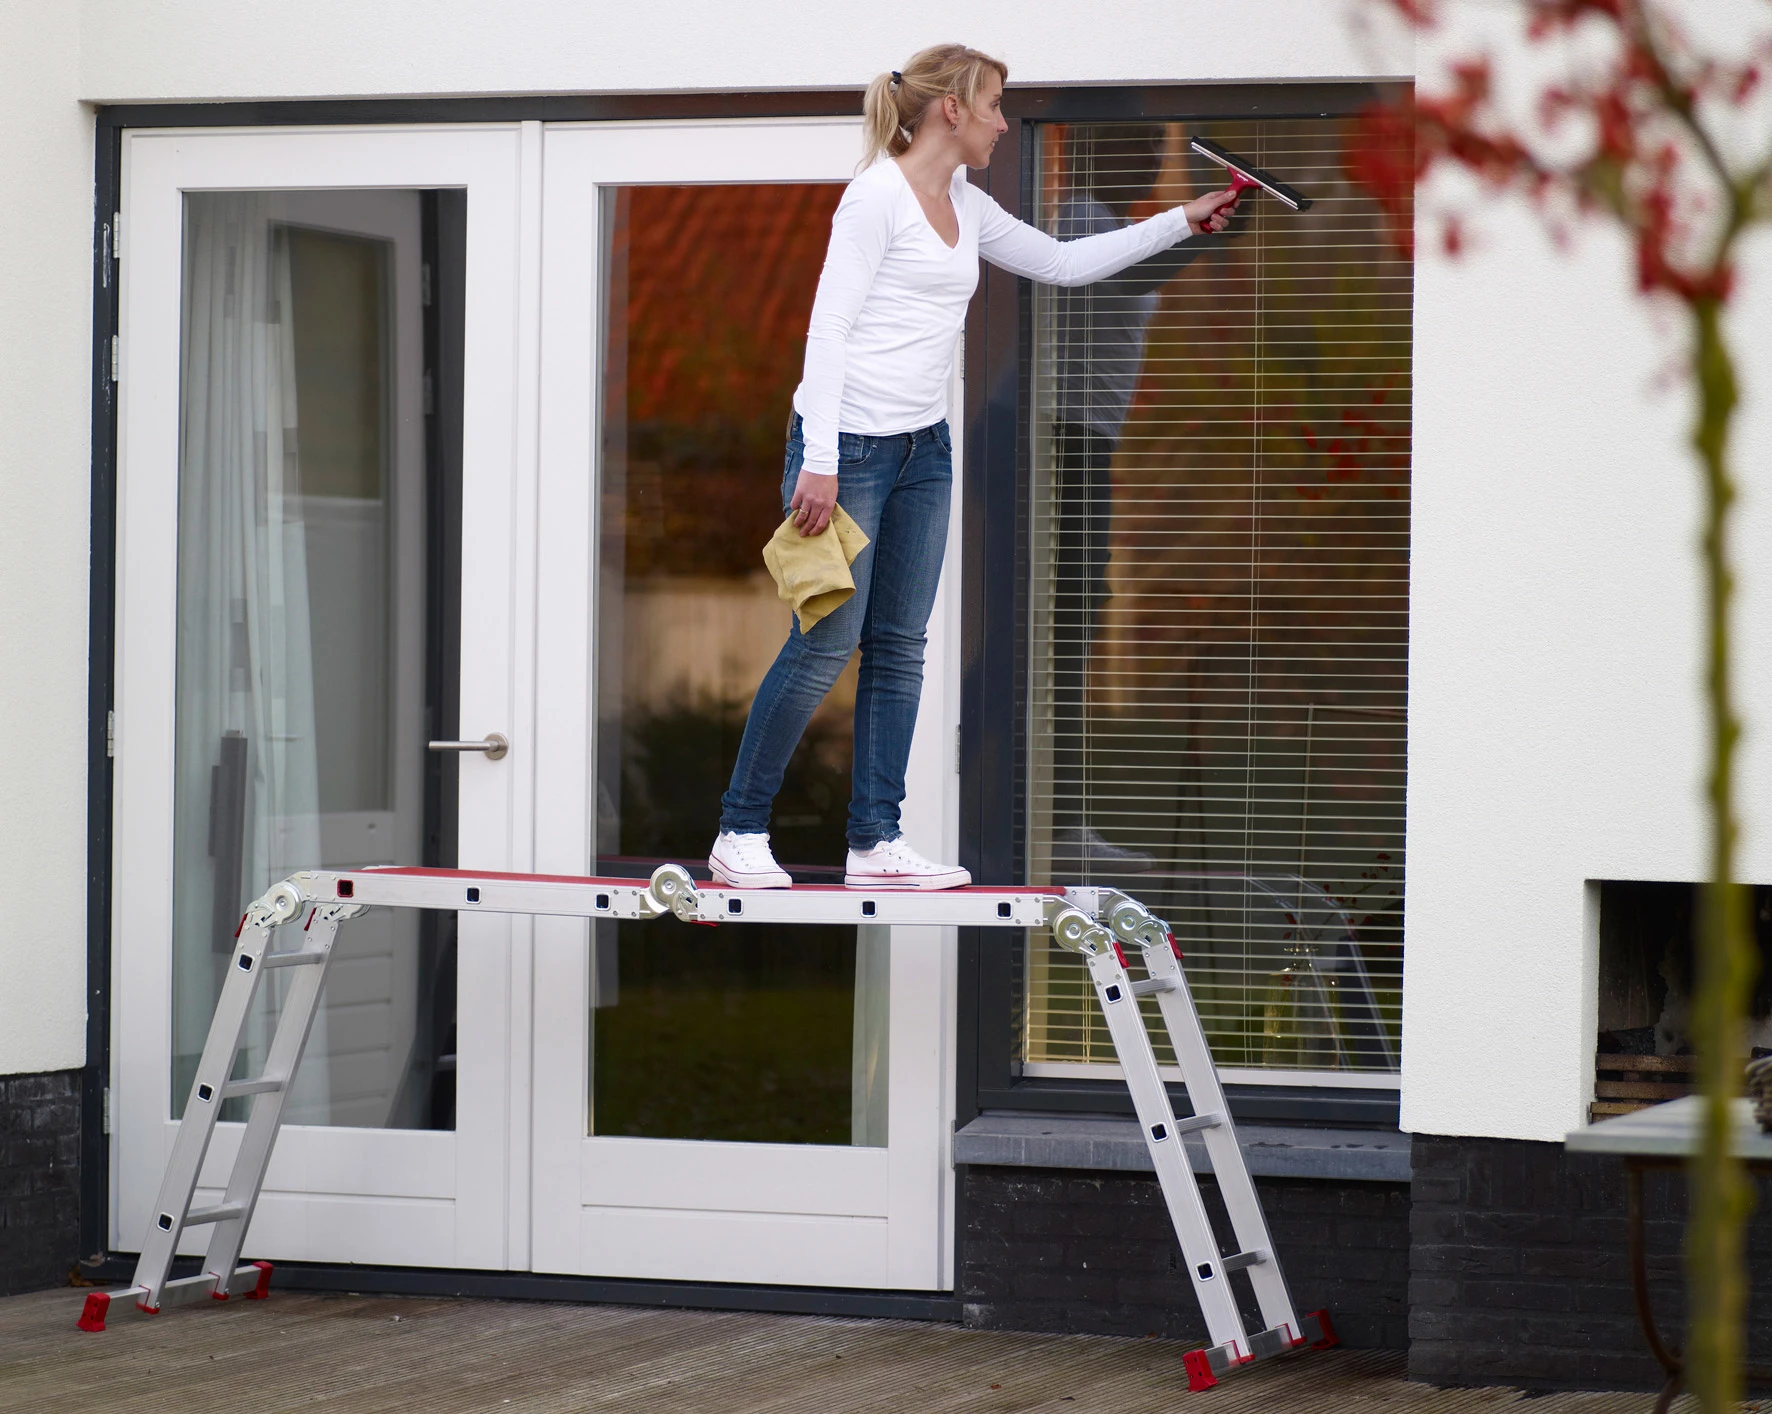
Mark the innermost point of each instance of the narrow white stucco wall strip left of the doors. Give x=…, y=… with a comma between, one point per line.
x=45, y=350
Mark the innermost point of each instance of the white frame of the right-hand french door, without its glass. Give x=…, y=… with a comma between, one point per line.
x=885, y=1218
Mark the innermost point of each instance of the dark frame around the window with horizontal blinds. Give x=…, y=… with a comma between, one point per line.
x=995, y=575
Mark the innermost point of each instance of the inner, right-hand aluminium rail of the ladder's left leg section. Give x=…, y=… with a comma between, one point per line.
x=267, y=1119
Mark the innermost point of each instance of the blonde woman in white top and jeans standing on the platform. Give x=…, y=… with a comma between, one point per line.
x=869, y=431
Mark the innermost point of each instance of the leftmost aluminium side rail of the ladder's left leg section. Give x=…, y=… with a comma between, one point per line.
x=201, y=1112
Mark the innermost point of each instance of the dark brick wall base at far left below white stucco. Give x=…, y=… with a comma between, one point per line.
x=40, y=1179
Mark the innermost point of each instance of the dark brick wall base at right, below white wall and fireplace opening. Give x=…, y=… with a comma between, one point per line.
x=1521, y=1271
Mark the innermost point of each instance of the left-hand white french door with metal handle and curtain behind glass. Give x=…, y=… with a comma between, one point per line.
x=279, y=437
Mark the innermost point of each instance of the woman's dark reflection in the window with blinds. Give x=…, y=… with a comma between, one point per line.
x=1100, y=336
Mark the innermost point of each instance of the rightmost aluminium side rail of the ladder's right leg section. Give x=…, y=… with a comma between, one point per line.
x=1181, y=1018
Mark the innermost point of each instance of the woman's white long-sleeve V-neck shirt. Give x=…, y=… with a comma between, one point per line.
x=894, y=297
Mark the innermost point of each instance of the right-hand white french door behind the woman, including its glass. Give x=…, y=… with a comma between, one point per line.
x=633, y=219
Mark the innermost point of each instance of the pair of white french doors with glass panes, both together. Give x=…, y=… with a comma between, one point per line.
x=408, y=421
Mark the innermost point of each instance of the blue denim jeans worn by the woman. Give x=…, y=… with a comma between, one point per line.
x=898, y=490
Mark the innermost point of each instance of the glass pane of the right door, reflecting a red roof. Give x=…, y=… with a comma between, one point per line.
x=734, y=1034
